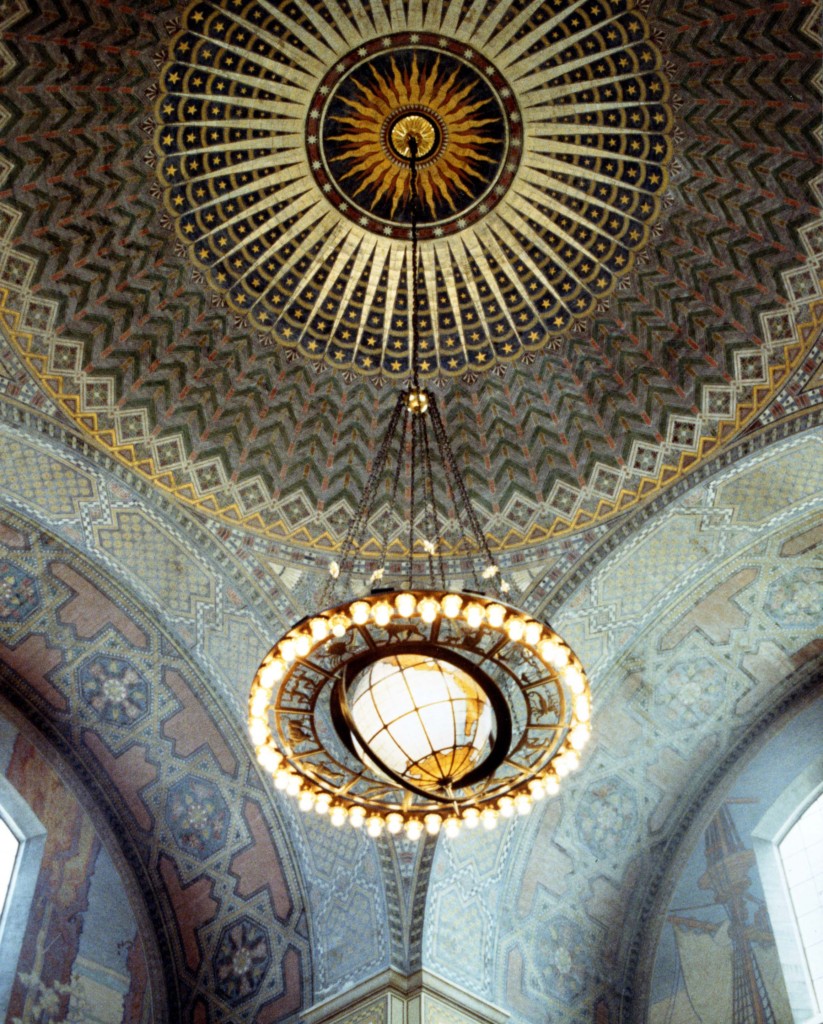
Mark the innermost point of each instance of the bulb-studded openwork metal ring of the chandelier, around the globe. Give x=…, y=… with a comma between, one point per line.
x=290, y=709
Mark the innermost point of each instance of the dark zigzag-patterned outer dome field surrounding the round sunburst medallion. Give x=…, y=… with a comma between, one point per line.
x=702, y=336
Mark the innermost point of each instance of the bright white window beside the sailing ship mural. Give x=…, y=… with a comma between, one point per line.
x=789, y=844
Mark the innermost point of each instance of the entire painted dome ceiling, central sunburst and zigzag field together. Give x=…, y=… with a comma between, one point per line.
x=134, y=333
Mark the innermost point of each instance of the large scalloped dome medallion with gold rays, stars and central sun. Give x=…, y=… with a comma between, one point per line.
x=545, y=134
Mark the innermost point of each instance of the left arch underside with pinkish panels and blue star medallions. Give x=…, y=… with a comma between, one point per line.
x=174, y=776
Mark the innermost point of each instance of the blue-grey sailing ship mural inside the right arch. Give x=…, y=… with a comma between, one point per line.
x=716, y=844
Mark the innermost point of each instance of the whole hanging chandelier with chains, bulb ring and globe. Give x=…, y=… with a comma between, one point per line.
x=418, y=707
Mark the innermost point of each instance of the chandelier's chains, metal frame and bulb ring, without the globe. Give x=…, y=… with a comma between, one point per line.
x=300, y=721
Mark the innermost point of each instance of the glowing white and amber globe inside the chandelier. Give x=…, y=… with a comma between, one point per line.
x=425, y=720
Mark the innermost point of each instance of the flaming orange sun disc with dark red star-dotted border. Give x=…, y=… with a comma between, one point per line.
x=464, y=120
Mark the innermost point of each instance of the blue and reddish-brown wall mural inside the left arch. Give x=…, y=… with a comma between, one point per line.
x=89, y=901
